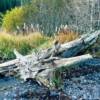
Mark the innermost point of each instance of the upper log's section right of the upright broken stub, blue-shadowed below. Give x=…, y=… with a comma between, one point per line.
x=74, y=47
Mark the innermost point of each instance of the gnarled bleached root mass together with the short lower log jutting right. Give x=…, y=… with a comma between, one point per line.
x=44, y=72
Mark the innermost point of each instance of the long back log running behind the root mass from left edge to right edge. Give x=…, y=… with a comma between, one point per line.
x=69, y=49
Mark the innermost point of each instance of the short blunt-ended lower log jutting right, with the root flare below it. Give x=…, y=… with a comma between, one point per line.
x=46, y=75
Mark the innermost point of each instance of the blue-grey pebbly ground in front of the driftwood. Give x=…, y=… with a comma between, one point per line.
x=77, y=85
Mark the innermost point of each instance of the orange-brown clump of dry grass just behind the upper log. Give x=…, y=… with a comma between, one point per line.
x=66, y=36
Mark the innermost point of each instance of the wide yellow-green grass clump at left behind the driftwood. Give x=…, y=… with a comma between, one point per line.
x=24, y=44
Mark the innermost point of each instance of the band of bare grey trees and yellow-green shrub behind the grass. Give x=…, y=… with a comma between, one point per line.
x=80, y=15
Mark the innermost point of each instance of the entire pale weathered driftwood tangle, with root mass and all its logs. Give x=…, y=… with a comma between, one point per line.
x=41, y=65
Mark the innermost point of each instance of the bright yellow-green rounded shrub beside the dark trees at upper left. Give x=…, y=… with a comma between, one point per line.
x=13, y=18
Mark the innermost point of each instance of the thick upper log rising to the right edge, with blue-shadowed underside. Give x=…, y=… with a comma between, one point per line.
x=74, y=47
